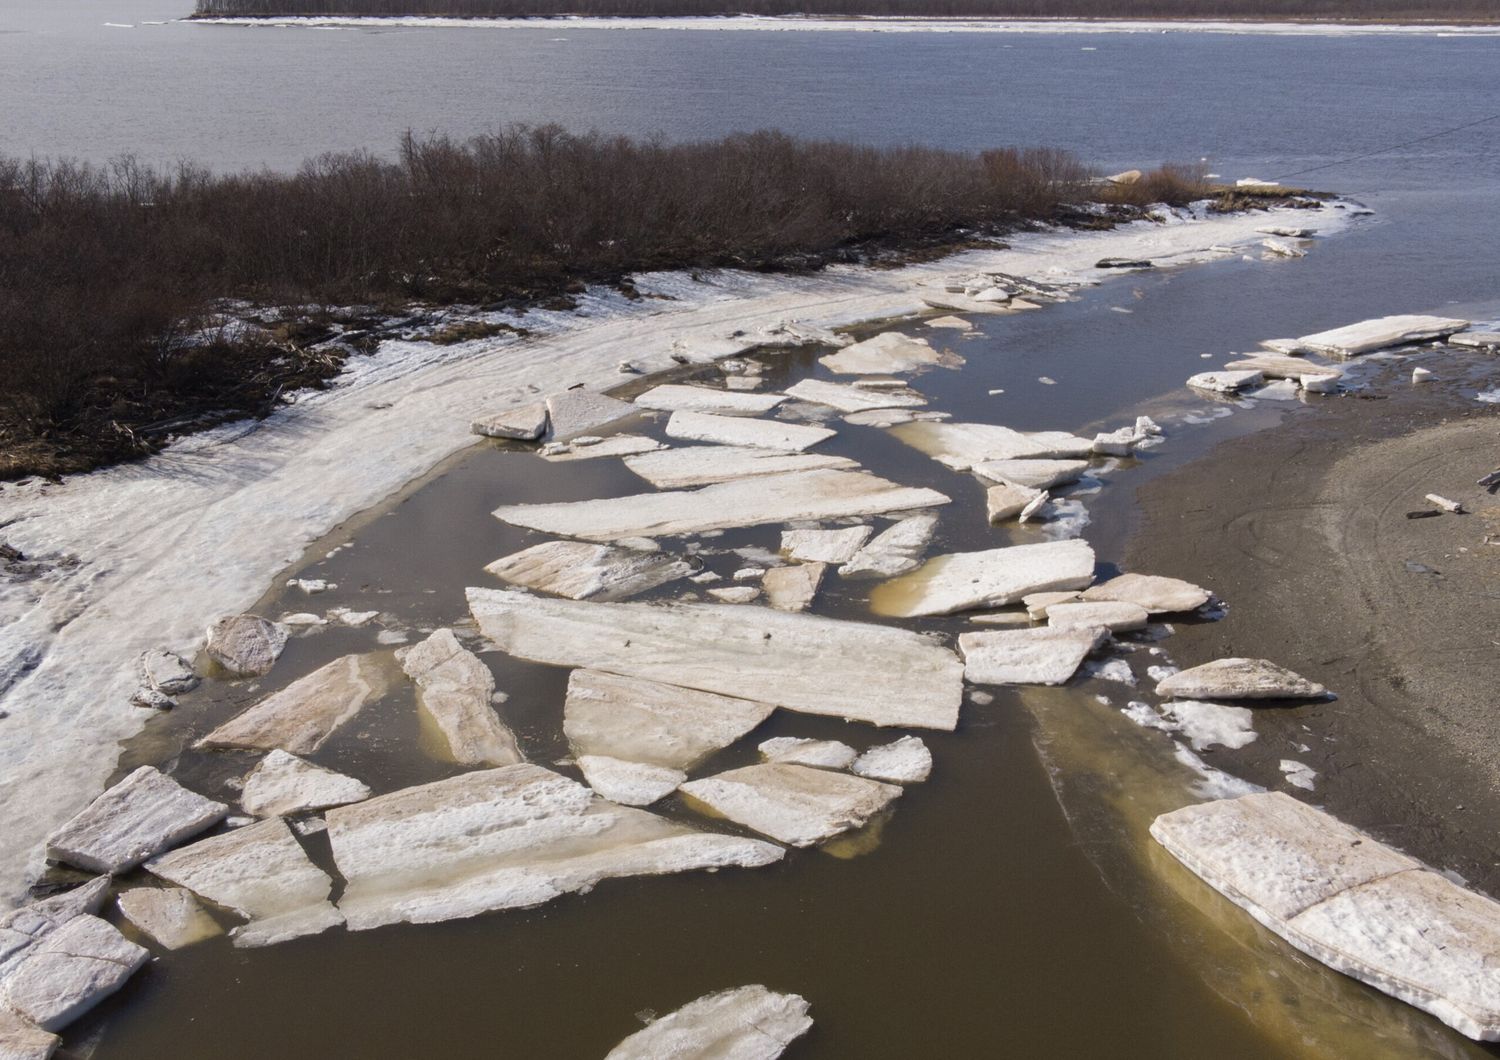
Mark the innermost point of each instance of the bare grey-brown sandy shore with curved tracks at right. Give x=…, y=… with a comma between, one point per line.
x=1304, y=531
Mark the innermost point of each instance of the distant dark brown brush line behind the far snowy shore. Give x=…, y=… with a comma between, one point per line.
x=1354, y=10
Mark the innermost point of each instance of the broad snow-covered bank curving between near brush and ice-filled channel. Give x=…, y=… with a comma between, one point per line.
x=146, y=555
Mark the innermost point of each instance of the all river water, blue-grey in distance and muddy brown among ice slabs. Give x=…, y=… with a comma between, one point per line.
x=982, y=923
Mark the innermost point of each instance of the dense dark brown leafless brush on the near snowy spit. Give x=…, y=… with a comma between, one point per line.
x=104, y=271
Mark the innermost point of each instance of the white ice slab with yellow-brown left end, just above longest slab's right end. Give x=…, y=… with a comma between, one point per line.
x=967, y=581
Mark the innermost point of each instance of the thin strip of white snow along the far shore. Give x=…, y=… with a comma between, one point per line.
x=812, y=25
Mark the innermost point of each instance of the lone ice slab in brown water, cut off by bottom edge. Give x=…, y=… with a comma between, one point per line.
x=748, y=1023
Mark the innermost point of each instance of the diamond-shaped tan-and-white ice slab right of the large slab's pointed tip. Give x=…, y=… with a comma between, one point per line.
x=796, y=804
